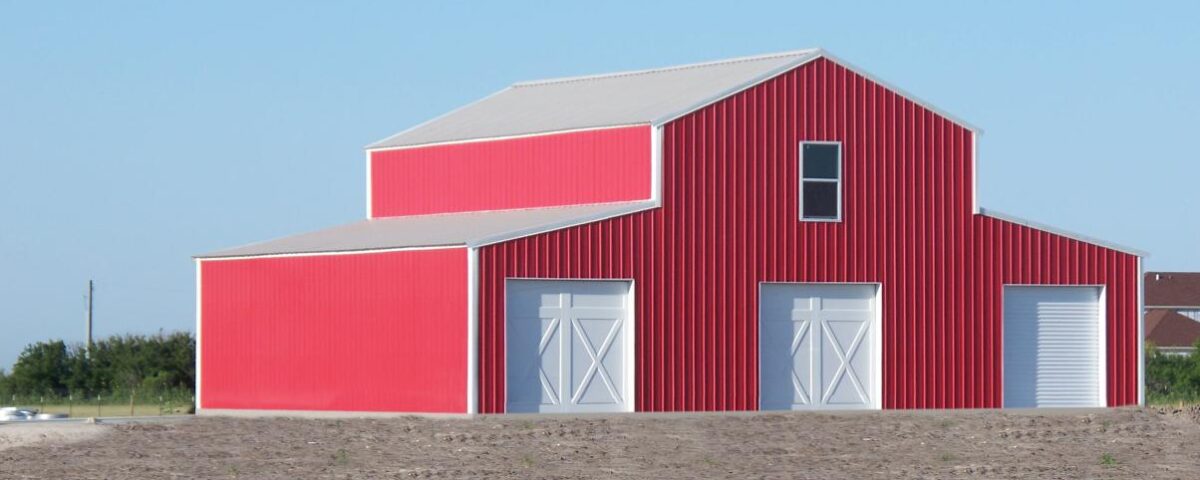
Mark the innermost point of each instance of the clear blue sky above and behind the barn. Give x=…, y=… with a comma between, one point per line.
x=135, y=135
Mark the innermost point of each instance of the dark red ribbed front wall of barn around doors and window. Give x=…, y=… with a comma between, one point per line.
x=729, y=221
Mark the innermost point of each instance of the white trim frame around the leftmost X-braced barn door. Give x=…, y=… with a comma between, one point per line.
x=629, y=345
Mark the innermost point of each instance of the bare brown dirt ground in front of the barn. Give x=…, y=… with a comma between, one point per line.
x=1119, y=443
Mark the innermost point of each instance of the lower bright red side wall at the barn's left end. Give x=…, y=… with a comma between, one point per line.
x=374, y=332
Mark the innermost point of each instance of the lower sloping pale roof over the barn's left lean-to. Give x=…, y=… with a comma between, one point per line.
x=472, y=229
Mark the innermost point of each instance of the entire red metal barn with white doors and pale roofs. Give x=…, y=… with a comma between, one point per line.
x=777, y=232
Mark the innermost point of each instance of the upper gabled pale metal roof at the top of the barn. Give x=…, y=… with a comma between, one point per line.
x=640, y=98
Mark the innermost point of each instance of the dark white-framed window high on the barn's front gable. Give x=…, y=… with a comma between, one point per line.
x=820, y=182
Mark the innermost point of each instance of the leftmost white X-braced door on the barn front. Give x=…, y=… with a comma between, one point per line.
x=569, y=346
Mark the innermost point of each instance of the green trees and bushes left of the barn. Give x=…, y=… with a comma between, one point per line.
x=123, y=365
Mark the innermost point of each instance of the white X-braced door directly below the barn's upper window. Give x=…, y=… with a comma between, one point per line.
x=819, y=347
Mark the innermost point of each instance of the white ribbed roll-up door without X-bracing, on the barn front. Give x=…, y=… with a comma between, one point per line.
x=1053, y=352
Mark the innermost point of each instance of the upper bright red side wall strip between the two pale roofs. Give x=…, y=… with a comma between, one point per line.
x=595, y=166
